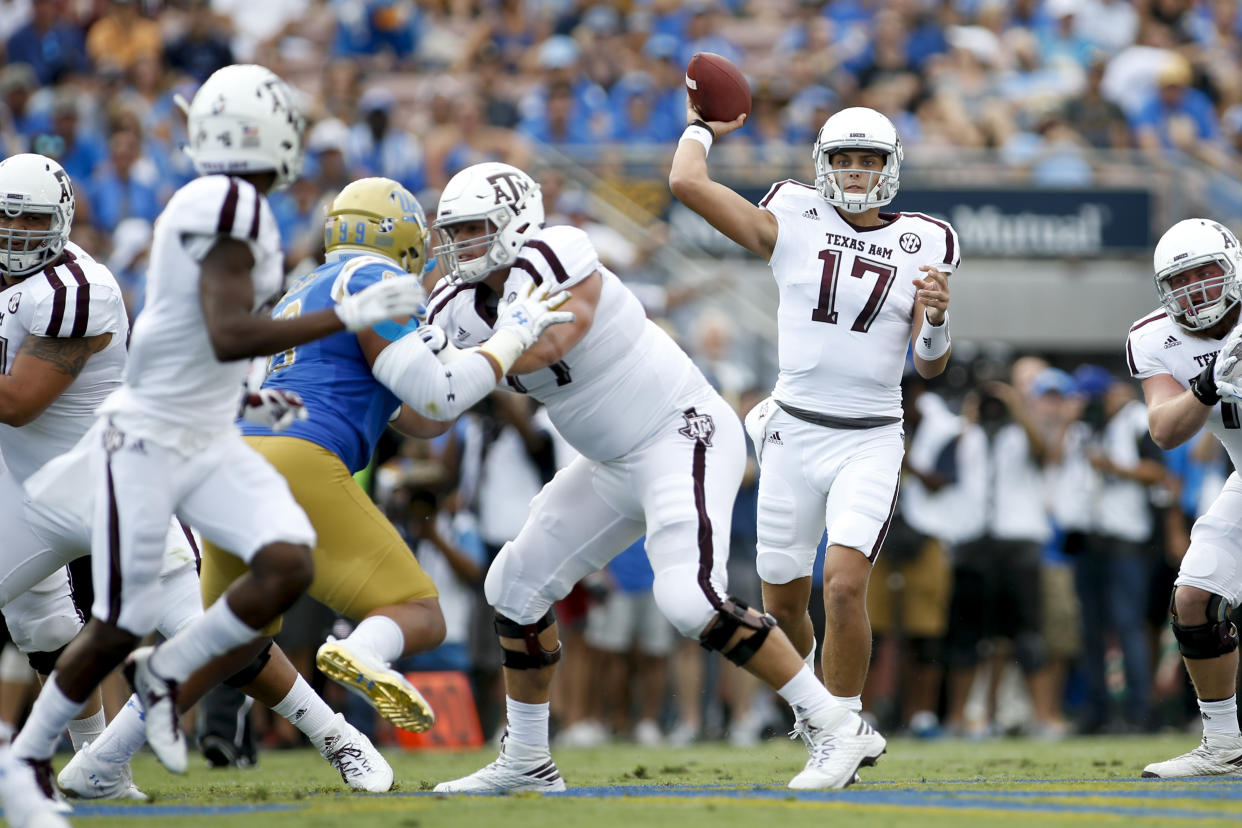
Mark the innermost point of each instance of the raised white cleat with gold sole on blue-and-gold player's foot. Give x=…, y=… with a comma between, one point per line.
x=384, y=688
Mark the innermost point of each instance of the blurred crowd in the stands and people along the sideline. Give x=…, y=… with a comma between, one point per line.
x=1025, y=587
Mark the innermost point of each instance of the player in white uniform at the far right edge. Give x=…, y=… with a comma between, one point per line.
x=1198, y=384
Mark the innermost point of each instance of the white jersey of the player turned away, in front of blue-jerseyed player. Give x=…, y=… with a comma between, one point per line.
x=177, y=393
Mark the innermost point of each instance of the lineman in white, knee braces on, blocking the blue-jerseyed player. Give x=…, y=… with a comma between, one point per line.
x=660, y=452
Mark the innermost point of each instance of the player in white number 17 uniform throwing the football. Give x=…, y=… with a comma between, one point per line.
x=856, y=287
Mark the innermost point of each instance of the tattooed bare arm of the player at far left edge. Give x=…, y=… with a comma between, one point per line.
x=44, y=368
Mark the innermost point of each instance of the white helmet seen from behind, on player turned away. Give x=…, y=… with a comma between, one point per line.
x=244, y=120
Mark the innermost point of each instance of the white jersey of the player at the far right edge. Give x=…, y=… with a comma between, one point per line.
x=1159, y=346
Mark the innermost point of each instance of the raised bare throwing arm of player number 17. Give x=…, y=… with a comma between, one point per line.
x=742, y=222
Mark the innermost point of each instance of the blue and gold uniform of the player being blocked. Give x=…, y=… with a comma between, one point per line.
x=361, y=562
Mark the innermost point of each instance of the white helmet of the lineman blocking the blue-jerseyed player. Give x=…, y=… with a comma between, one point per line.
x=502, y=197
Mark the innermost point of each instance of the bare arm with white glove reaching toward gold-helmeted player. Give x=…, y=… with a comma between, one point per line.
x=228, y=297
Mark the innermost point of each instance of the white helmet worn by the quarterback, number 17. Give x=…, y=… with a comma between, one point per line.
x=858, y=128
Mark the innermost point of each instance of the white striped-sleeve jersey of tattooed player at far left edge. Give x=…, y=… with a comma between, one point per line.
x=79, y=297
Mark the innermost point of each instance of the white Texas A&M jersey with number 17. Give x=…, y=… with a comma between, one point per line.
x=848, y=301
